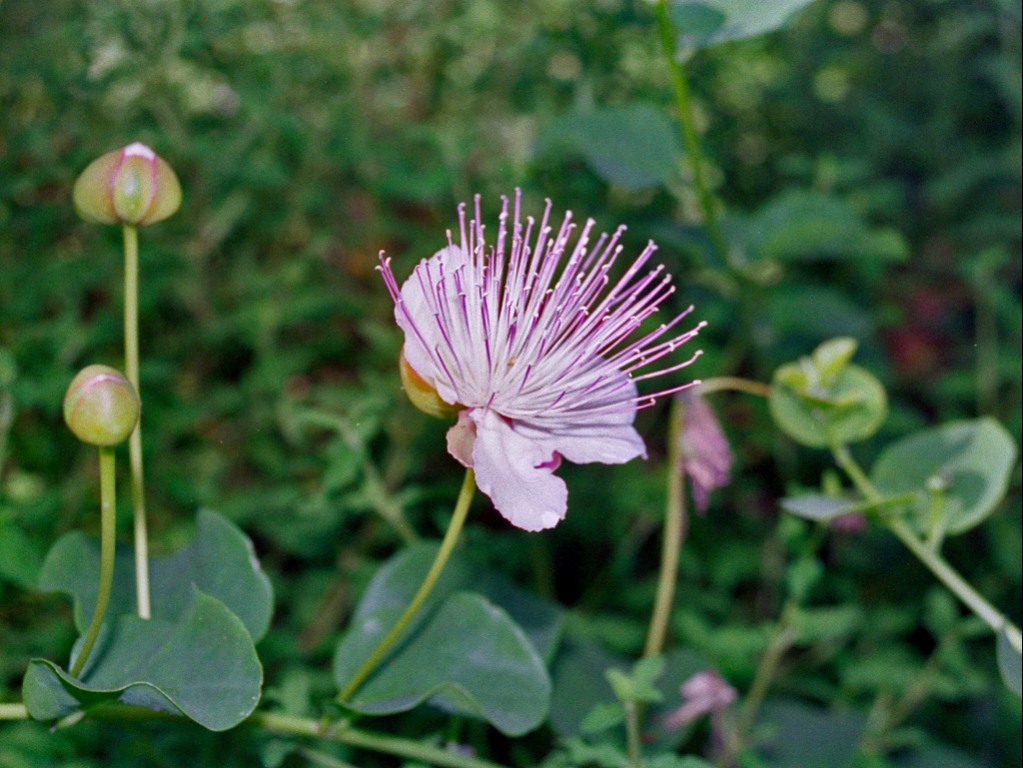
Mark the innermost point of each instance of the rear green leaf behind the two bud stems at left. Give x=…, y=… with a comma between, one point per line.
x=220, y=562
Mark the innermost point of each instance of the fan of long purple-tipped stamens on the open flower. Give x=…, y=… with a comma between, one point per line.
x=537, y=330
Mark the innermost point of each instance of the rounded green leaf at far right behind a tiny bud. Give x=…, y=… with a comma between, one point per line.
x=962, y=470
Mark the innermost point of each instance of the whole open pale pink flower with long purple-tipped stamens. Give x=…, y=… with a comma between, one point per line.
x=538, y=349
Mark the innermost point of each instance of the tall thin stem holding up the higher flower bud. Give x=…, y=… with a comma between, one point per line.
x=136, y=441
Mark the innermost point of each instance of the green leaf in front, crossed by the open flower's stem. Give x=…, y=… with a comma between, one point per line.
x=468, y=656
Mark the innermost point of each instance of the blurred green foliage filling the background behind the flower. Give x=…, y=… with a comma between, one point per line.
x=868, y=158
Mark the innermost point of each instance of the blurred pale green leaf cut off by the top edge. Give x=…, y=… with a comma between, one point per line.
x=706, y=23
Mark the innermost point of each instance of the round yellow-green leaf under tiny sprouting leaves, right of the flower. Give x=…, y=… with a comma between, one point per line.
x=851, y=409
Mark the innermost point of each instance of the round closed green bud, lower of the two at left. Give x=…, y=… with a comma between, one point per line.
x=102, y=408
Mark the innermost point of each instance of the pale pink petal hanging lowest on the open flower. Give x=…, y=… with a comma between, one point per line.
x=510, y=470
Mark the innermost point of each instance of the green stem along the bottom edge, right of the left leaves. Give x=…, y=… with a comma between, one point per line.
x=345, y=734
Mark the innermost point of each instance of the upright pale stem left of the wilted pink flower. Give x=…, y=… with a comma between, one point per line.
x=675, y=531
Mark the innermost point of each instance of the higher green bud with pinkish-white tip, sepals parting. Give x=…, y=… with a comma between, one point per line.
x=132, y=186
